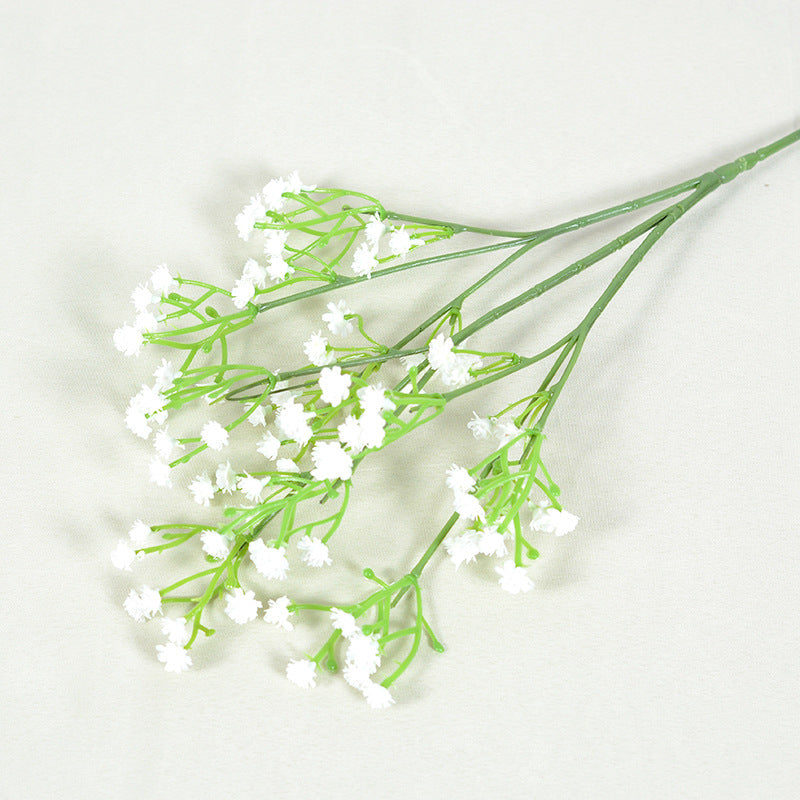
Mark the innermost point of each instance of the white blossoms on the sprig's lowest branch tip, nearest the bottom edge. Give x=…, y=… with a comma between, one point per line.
x=362, y=660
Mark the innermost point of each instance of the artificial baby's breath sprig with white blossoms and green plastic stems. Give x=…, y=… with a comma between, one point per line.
x=284, y=487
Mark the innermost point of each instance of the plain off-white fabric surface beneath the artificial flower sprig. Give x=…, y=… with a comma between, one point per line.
x=658, y=656
